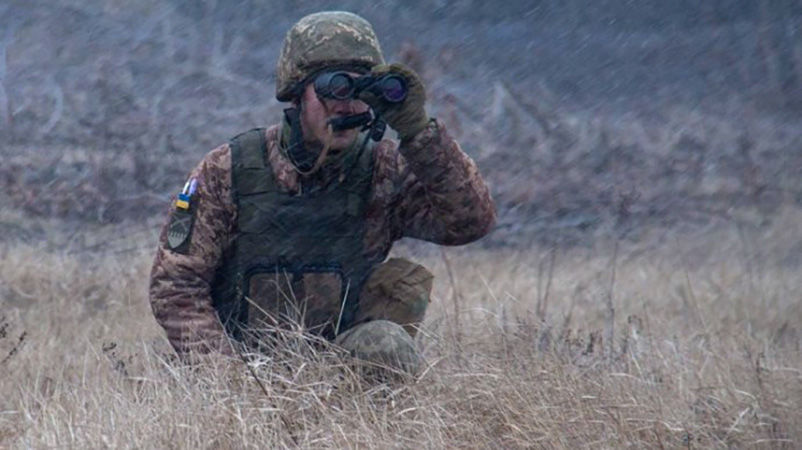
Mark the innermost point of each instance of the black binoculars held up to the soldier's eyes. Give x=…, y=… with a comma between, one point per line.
x=341, y=85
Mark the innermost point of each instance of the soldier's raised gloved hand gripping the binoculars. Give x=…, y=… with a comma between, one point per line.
x=409, y=117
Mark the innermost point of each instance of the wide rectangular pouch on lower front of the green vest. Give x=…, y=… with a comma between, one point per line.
x=311, y=299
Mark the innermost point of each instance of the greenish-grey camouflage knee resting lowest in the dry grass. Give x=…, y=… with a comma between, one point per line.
x=384, y=344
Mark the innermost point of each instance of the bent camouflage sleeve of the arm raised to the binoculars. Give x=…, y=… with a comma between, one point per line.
x=443, y=198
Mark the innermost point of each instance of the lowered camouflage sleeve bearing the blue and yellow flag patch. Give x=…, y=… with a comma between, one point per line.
x=180, y=280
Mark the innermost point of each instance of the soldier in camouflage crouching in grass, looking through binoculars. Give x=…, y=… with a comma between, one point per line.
x=293, y=223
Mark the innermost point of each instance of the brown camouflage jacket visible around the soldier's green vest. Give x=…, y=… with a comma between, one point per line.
x=426, y=189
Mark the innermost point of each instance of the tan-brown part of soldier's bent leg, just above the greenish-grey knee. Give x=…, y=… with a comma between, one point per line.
x=398, y=290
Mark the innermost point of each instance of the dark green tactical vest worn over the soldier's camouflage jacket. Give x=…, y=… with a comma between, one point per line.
x=295, y=258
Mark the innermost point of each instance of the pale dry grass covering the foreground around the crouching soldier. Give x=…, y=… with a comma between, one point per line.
x=707, y=353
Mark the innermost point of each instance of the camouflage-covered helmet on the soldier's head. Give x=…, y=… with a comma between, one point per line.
x=331, y=38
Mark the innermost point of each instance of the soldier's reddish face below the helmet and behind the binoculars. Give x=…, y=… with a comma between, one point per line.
x=316, y=113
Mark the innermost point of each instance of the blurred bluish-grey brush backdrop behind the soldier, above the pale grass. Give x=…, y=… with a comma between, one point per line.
x=586, y=117
